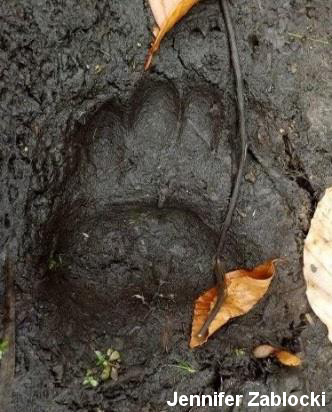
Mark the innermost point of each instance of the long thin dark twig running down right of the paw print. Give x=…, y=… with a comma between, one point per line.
x=235, y=193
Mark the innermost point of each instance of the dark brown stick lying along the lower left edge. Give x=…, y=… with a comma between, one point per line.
x=7, y=366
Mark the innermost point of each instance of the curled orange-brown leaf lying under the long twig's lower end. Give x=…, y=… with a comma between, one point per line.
x=244, y=288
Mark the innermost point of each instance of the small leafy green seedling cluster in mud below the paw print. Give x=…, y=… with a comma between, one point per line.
x=107, y=366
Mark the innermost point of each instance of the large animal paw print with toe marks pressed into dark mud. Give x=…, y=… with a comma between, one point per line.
x=150, y=186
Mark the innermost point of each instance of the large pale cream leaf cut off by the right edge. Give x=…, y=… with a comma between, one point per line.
x=317, y=261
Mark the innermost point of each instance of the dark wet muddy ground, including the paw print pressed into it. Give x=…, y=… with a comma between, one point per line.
x=115, y=182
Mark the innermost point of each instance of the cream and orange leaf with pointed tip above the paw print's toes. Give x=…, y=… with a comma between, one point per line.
x=166, y=13
